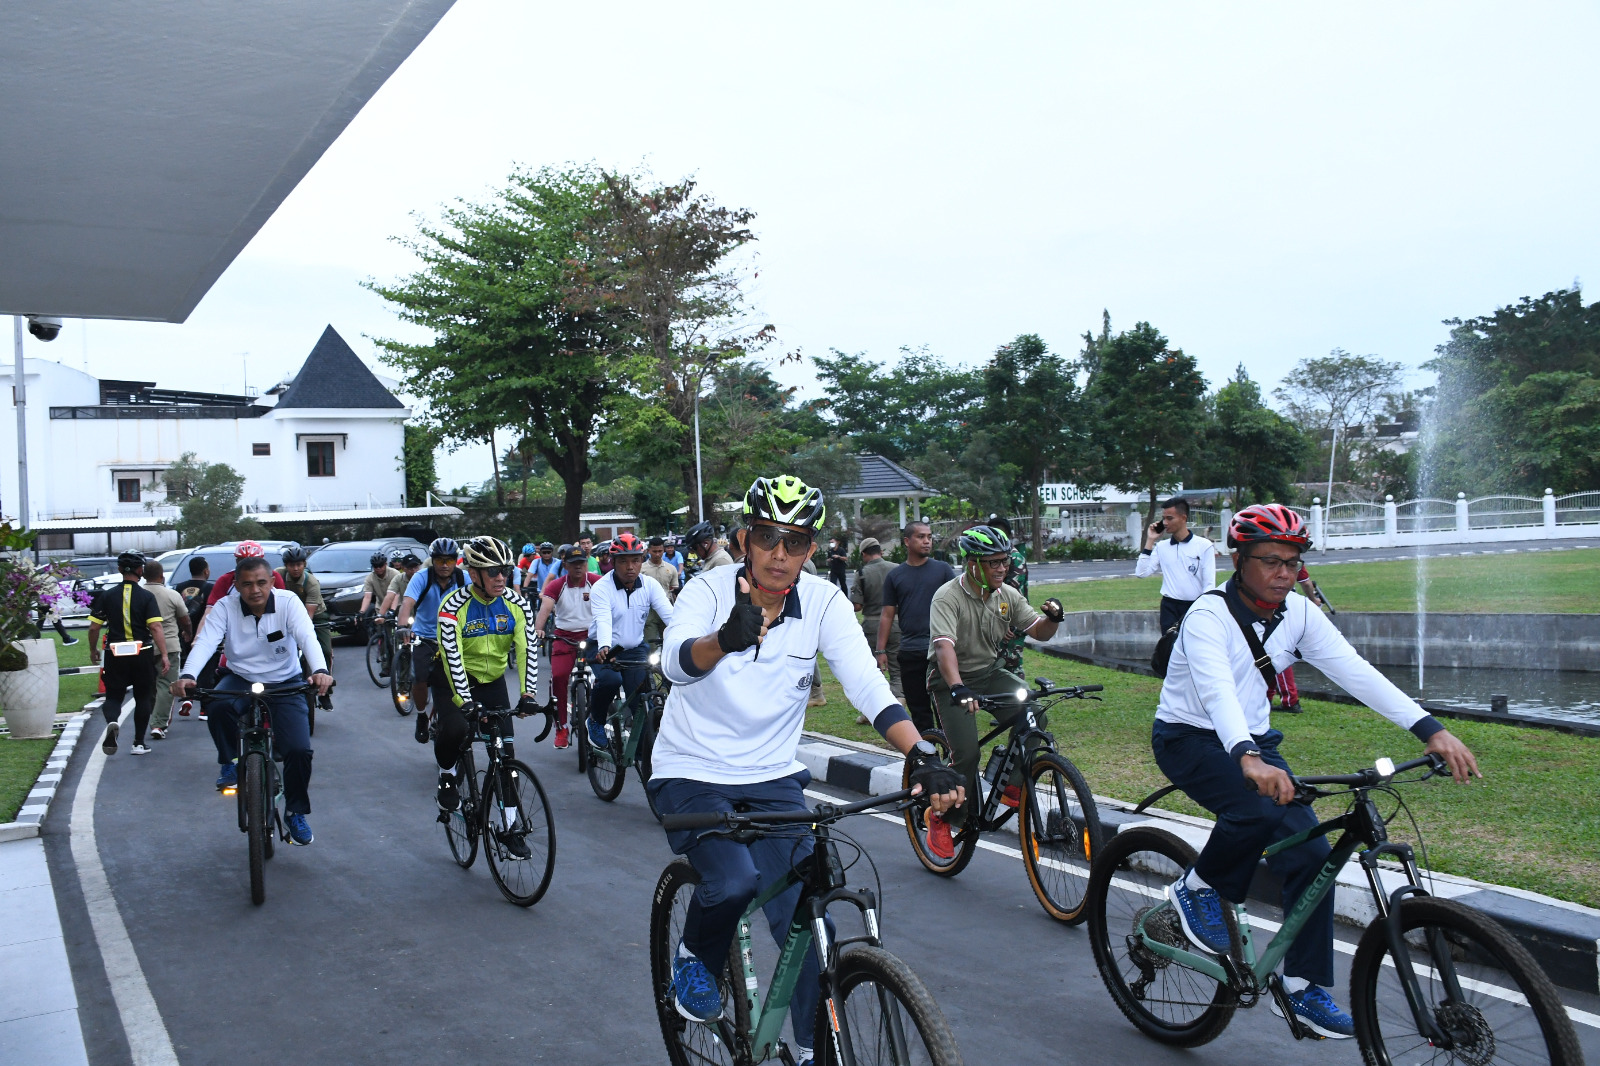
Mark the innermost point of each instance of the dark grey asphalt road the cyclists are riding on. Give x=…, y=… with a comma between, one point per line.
x=375, y=948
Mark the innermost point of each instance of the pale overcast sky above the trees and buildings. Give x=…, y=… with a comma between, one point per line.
x=1262, y=182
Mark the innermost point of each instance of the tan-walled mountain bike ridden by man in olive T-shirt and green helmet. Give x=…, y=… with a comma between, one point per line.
x=1057, y=817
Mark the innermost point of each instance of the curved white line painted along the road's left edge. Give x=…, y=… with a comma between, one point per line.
x=142, y=1020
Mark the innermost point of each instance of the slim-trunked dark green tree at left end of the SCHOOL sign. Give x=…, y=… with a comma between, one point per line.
x=1031, y=401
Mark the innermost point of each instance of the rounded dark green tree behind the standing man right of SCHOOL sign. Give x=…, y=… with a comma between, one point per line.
x=1145, y=403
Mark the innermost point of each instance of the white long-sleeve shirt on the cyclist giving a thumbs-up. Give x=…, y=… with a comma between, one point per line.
x=740, y=723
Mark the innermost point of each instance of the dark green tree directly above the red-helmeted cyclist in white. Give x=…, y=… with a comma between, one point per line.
x=1250, y=449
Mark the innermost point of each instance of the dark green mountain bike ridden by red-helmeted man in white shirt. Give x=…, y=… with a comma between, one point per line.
x=1433, y=980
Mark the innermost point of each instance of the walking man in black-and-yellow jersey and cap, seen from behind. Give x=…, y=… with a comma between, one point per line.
x=137, y=646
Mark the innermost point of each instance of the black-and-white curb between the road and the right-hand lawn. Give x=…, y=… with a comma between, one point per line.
x=1564, y=937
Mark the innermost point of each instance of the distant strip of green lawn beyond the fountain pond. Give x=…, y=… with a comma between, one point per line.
x=1566, y=583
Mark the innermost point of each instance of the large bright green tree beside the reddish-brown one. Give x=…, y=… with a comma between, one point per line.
x=510, y=348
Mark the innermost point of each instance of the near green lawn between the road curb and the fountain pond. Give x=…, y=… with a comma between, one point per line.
x=1534, y=822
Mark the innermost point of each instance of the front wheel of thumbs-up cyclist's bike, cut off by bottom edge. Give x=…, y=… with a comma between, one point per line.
x=882, y=1014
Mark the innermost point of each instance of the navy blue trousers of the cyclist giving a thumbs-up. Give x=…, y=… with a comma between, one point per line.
x=732, y=875
